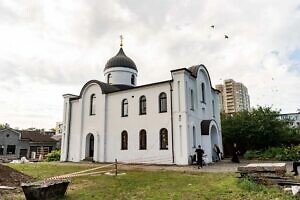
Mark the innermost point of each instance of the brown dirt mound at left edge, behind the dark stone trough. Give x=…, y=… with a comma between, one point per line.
x=12, y=177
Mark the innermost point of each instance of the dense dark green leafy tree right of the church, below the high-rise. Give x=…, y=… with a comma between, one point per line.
x=259, y=128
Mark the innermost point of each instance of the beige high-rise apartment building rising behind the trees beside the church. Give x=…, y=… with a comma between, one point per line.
x=233, y=97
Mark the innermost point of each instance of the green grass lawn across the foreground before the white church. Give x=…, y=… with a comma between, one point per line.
x=139, y=184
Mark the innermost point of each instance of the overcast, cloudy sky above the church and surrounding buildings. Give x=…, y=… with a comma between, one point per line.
x=48, y=48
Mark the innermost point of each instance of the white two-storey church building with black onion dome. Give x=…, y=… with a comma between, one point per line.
x=159, y=123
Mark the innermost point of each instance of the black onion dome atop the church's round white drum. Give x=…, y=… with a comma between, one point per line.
x=120, y=60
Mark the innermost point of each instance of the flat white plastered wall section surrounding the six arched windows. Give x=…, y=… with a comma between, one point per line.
x=152, y=122
